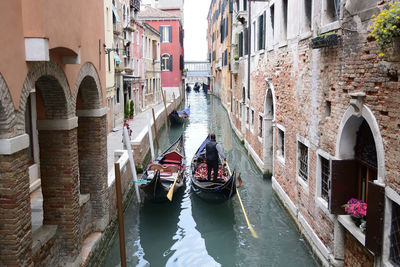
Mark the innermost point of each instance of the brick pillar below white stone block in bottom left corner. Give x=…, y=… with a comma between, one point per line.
x=15, y=219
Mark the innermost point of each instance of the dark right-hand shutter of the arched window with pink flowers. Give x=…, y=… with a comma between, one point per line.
x=375, y=213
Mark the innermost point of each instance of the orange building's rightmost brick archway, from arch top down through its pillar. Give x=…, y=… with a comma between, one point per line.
x=92, y=147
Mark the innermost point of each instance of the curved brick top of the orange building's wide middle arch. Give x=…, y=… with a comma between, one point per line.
x=53, y=86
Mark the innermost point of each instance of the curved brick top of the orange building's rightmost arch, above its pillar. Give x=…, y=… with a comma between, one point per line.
x=88, y=87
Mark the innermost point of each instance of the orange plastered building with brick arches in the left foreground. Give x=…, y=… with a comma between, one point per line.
x=53, y=125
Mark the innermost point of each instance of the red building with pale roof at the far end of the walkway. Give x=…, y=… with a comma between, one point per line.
x=169, y=24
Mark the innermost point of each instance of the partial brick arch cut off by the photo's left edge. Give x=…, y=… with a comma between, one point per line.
x=7, y=113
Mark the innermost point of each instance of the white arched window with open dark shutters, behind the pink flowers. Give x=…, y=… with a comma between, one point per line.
x=359, y=172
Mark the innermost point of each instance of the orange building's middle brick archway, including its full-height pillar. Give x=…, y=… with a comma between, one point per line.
x=56, y=210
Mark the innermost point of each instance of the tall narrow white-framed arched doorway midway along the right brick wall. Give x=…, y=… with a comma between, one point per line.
x=269, y=117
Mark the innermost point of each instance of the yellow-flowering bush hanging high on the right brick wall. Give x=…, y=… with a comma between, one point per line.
x=386, y=27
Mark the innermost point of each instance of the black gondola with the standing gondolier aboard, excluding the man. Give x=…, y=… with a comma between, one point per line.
x=211, y=191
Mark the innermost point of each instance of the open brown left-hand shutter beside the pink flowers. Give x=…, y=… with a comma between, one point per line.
x=344, y=184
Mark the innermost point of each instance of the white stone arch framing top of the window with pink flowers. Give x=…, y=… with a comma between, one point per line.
x=346, y=138
